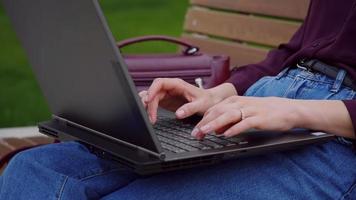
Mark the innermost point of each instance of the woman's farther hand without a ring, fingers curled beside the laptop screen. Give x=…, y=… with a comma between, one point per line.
x=182, y=98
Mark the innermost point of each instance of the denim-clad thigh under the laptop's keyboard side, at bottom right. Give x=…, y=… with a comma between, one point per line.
x=316, y=172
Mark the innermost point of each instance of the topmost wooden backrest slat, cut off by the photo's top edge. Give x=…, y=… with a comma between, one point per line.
x=293, y=9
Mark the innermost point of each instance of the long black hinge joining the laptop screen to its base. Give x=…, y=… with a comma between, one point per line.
x=66, y=122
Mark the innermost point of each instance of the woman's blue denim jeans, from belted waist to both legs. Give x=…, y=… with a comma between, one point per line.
x=326, y=171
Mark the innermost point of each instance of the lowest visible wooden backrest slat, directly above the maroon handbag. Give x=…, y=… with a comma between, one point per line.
x=240, y=54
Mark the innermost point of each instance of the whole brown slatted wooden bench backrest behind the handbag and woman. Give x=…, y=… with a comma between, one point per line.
x=243, y=29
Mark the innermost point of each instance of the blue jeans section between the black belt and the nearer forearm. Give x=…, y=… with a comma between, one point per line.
x=299, y=84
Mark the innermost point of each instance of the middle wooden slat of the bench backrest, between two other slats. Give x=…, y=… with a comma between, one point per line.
x=240, y=27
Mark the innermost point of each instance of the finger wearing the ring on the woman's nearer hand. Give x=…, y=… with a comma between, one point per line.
x=230, y=117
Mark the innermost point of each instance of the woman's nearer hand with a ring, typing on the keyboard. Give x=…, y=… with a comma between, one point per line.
x=237, y=114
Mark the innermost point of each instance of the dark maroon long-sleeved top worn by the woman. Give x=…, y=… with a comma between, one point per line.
x=328, y=34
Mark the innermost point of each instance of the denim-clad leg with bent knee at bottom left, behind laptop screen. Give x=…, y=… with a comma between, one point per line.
x=61, y=171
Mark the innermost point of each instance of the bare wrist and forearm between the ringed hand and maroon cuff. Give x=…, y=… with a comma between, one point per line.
x=324, y=115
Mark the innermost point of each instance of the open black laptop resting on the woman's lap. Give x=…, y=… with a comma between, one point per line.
x=94, y=101
